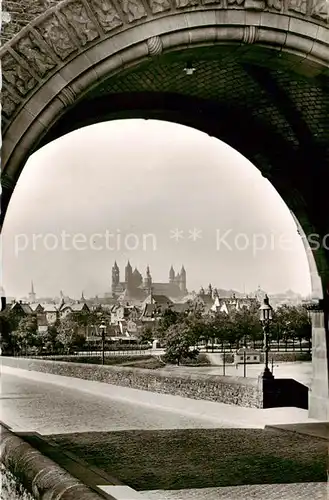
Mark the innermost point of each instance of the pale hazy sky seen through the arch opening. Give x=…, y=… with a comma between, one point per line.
x=158, y=194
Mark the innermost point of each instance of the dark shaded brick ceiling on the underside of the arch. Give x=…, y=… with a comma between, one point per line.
x=292, y=107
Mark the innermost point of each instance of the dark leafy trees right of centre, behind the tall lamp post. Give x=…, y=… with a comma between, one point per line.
x=180, y=332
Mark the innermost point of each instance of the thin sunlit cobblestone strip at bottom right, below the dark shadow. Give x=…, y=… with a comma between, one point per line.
x=299, y=491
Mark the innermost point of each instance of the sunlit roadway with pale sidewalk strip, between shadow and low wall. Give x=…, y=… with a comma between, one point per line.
x=52, y=404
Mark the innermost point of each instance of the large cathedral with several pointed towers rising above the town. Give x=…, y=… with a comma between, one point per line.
x=136, y=287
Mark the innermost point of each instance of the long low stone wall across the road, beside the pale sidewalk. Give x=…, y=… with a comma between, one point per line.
x=231, y=390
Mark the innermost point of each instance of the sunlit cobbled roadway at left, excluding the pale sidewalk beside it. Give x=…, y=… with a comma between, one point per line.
x=31, y=405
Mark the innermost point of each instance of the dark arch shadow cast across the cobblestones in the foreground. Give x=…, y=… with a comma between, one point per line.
x=195, y=458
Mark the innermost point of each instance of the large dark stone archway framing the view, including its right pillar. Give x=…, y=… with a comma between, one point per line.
x=82, y=56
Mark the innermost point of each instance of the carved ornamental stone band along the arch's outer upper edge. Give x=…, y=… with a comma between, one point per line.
x=60, y=35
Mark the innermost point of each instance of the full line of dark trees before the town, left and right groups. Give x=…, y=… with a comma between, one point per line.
x=179, y=332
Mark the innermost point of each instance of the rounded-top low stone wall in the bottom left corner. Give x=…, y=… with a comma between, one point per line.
x=28, y=475
